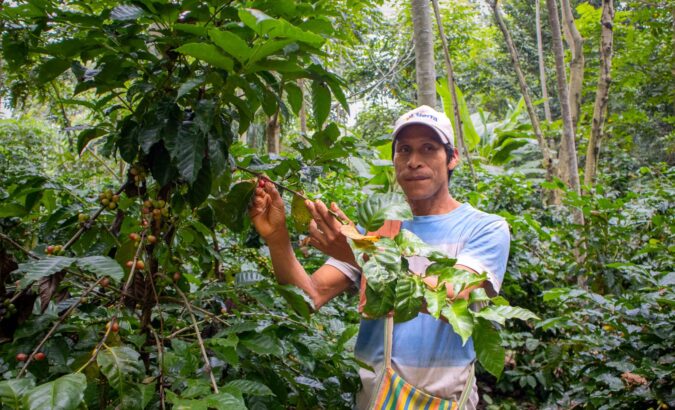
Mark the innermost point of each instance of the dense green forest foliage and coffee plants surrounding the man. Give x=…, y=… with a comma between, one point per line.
x=130, y=275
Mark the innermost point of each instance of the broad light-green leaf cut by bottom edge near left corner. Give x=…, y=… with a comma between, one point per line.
x=65, y=393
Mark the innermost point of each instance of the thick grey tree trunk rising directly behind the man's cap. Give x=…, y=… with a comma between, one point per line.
x=424, y=53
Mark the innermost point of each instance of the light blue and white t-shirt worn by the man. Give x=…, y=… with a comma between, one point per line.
x=426, y=352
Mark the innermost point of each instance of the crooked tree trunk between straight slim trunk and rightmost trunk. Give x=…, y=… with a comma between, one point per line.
x=576, y=44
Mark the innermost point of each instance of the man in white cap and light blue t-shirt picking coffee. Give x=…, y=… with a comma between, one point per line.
x=427, y=353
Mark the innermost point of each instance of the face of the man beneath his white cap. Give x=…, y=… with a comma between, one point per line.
x=421, y=163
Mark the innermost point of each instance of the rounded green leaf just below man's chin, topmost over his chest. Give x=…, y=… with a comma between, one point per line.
x=372, y=213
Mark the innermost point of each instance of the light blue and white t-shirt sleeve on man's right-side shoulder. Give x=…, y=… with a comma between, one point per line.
x=487, y=251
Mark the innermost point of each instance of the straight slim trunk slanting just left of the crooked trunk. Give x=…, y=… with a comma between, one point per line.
x=572, y=179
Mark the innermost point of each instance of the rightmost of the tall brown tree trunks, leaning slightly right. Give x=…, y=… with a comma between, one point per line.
x=602, y=93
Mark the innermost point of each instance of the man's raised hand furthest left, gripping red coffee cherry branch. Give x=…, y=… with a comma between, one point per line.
x=267, y=211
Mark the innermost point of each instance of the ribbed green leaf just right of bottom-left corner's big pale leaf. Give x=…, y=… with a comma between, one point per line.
x=121, y=365
